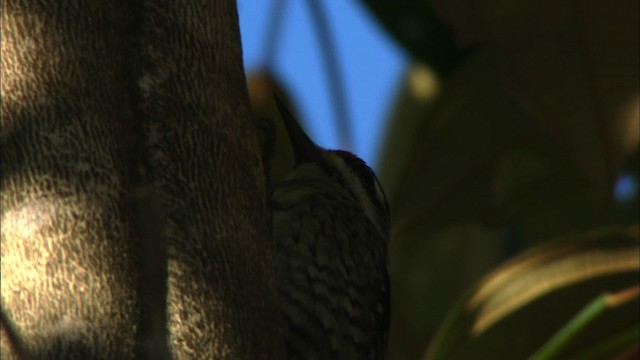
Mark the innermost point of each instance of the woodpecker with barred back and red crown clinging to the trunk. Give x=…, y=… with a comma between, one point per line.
x=331, y=229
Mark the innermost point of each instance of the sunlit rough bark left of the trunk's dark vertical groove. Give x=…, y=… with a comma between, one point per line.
x=69, y=253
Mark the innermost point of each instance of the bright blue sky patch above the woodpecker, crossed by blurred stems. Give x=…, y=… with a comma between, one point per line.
x=371, y=64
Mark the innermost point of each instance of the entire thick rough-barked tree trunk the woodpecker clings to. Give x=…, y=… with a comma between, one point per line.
x=134, y=216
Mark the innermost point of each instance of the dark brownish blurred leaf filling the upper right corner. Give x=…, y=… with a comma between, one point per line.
x=572, y=65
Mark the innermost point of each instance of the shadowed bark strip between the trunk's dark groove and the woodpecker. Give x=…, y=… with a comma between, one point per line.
x=209, y=173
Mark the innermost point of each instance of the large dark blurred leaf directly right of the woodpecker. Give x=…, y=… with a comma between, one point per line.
x=471, y=179
